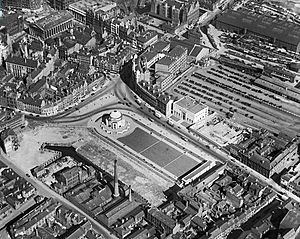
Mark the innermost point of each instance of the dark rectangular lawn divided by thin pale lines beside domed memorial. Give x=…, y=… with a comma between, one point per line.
x=159, y=152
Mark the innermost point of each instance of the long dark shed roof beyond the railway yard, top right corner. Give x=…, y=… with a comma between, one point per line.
x=265, y=25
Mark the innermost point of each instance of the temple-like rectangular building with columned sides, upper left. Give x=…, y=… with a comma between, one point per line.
x=51, y=25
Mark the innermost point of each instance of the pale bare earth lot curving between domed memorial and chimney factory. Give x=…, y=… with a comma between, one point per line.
x=143, y=181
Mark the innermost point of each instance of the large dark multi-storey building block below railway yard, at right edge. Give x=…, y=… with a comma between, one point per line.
x=265, y=153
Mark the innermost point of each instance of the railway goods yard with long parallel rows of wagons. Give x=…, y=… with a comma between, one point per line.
x=250, y=90
